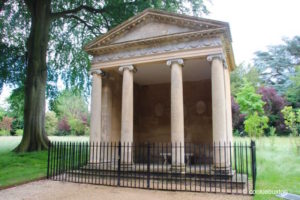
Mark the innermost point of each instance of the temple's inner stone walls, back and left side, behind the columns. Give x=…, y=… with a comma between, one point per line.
x=152, y=112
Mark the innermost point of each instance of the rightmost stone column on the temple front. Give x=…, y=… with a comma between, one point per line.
x=219, y=112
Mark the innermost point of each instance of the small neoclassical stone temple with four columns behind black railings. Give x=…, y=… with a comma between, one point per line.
x=162, y=77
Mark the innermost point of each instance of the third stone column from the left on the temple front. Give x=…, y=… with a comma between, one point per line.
x=177, y=113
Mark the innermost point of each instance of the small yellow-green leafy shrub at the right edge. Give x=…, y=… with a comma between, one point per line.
x=291, y=119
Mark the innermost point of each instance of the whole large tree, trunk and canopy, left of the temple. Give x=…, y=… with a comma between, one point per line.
x=62, y=27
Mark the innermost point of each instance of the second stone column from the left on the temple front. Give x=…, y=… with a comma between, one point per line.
x=127, y=113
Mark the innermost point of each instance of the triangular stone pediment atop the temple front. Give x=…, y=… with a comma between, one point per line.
x=154, y=24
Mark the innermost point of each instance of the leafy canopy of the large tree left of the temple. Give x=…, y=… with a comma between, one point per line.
x=68, y=34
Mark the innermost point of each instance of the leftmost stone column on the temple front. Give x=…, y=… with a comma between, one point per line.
x=95, y=127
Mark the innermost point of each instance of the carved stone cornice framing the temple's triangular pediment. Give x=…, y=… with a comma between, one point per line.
x=197, y=25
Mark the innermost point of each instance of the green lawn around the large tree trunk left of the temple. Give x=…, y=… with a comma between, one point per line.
x=17, y=168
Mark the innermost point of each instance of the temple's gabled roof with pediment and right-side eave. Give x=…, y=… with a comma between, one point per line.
x=156, y=26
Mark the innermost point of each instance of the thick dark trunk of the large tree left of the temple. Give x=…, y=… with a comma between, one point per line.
x=34, y=137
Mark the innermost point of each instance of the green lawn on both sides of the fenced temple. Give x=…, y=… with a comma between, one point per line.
x=278, y=165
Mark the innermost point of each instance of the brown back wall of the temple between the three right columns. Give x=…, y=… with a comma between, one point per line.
x=152, y=112
